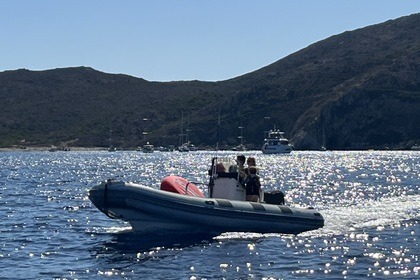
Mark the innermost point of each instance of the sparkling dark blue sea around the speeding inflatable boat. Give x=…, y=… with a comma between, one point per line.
x=370, y=200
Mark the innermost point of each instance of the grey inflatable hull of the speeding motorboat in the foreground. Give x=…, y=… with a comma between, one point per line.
x=149, y=210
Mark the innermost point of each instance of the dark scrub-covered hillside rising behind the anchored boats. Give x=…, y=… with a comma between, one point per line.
x=356, y=90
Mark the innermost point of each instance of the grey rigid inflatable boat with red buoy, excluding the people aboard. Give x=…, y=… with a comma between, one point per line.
x=179, y=206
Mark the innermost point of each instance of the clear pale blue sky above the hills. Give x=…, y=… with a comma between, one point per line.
x=172, y=40
